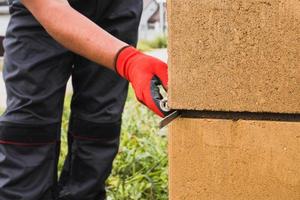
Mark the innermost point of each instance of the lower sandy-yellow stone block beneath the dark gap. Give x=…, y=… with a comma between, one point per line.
x=234, y=160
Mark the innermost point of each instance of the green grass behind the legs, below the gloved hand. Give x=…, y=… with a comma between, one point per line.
x=140, y=169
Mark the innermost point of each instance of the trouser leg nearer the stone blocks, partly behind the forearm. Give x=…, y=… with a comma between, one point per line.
x=97, y=104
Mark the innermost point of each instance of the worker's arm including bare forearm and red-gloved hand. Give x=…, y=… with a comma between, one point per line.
x=82, y=36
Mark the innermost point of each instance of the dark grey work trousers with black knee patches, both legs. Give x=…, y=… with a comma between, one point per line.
x=36, y=71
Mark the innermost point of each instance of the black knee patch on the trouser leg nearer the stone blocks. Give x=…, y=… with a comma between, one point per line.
x=91, y=131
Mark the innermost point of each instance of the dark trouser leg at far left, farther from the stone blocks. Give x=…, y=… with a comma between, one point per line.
x=36, y=70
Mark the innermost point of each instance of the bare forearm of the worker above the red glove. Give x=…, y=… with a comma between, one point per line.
x=75, y=31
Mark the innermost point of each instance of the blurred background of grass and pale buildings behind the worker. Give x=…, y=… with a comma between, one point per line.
x=140, y=170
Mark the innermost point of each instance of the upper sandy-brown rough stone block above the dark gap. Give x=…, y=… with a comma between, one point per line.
x=234, y=55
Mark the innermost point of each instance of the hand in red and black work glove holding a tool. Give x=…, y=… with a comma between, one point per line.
x=145, y=73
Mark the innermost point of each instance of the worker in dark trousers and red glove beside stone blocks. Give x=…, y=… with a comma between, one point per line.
x=46, y=42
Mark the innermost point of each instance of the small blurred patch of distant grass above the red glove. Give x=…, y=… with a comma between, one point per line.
x=157, y=43
